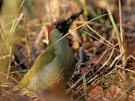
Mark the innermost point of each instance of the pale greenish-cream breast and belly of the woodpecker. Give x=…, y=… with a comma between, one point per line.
x=61, y=67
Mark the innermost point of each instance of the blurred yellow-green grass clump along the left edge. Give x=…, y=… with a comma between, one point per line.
x=9, y=22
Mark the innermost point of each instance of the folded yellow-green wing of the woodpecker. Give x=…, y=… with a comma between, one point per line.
x=40, y=63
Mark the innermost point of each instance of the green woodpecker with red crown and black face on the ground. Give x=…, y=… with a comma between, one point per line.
x=56, y=64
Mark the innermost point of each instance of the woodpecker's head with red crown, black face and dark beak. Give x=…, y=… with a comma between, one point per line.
x=59, y=28
